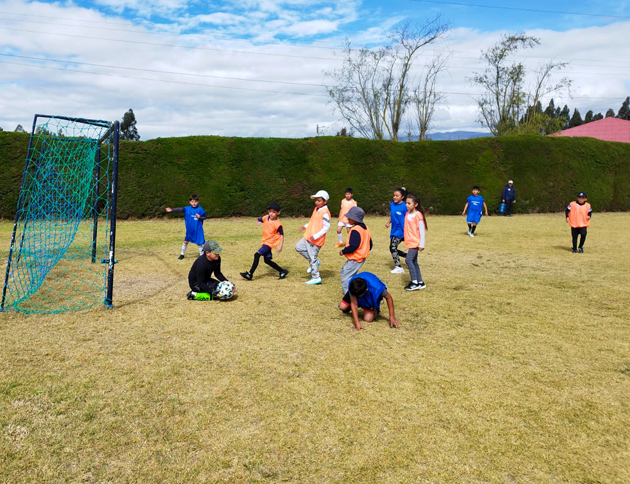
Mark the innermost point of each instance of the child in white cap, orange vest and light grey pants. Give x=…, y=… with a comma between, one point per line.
x=315, y=236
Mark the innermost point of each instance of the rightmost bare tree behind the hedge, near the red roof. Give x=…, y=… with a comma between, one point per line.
x=506, y=98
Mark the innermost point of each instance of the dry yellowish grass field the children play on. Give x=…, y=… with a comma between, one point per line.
x=513, y=366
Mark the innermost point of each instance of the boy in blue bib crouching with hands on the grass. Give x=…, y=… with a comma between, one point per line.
x=366, y=291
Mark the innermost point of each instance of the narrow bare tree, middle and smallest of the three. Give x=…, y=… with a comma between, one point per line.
x=425, y=95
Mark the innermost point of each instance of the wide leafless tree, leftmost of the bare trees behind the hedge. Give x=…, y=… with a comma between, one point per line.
x=371, y=89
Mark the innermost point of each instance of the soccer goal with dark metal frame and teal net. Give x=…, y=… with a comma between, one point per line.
x=62, y=248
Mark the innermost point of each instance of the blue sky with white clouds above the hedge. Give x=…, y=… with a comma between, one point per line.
x=257, y=68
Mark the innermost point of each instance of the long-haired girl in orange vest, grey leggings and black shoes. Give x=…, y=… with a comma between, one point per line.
x=415, y=227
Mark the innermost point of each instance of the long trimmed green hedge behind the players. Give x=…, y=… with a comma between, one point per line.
x=240, y=176
